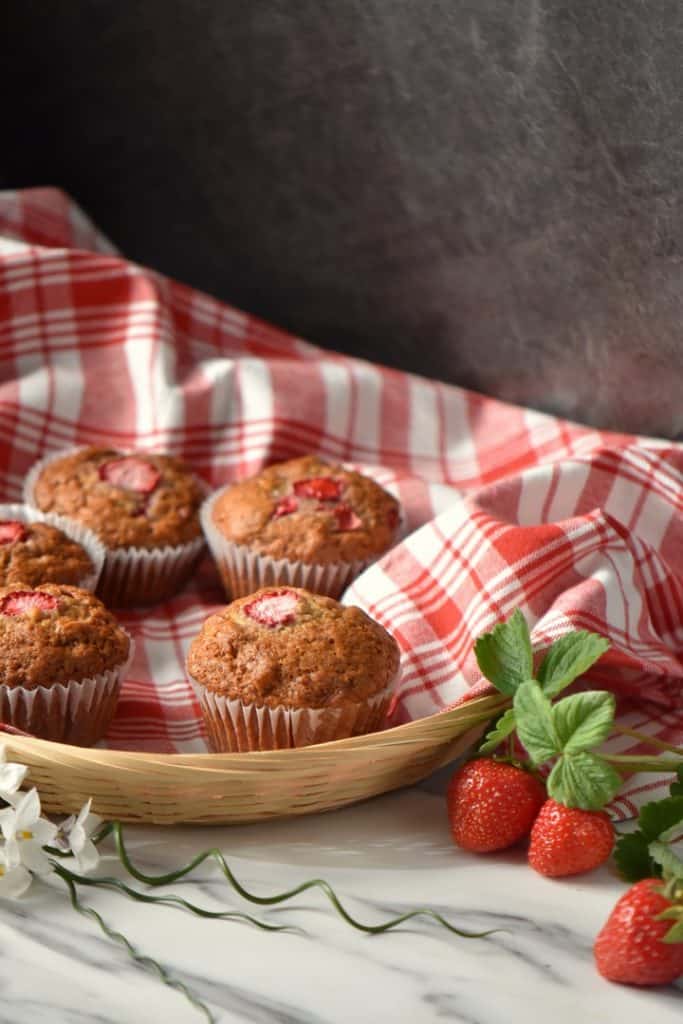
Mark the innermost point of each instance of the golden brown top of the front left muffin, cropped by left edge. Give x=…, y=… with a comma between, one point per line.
x=55, y=633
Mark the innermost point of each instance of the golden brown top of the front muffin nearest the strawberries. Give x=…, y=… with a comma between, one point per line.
x=285, y=647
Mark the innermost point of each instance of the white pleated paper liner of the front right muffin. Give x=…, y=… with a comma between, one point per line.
x=237, y=728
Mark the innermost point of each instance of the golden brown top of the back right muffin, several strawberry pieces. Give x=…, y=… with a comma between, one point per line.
x=309, y=510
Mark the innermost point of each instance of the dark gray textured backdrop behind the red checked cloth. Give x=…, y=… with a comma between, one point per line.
x=488, y=192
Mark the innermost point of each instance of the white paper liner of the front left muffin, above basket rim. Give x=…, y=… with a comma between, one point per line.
x=78, y=712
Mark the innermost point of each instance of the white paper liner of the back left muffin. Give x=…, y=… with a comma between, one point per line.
x=133, y=577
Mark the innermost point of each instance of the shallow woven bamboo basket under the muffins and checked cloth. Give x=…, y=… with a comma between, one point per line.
x=227, y=789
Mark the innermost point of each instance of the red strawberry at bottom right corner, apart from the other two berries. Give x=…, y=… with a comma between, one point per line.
x=629, y=949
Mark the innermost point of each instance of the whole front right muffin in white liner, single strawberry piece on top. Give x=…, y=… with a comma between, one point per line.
x=287, y=668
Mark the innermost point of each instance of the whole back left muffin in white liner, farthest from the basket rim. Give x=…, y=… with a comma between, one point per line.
x=143, y=507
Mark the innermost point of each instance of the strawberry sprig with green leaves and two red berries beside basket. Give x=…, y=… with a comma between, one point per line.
x=572, y=835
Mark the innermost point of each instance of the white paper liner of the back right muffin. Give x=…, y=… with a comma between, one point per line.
x=243, y=571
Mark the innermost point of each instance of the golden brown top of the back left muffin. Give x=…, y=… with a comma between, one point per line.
x=136, y=500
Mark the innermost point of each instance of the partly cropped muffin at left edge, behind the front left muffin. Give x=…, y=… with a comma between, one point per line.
x=37, y=548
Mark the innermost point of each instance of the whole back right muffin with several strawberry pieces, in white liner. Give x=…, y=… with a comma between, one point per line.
x=305, y=523
